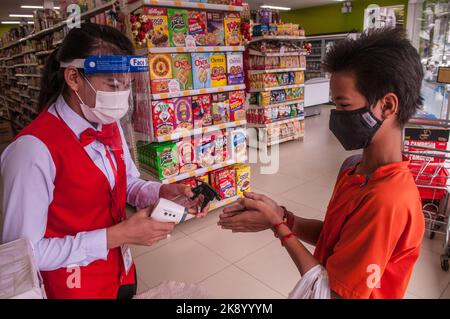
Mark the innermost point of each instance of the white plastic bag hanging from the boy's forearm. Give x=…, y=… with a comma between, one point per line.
x=313, y=285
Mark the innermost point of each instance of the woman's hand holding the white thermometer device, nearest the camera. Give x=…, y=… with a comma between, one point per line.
x=139, y=229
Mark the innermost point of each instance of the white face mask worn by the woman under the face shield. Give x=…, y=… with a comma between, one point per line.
x=109, y=106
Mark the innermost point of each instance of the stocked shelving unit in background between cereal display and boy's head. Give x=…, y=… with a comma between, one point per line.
x=275, y=122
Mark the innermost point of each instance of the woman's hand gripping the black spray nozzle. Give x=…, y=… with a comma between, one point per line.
x=182, y=194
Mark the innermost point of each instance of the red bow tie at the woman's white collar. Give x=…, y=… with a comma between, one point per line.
x=109, y=136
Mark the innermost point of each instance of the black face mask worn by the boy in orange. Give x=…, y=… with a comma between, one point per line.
x=354, y=129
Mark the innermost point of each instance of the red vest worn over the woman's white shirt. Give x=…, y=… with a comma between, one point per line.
x=82, y=201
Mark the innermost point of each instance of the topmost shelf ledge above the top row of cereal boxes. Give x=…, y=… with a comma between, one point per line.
x=180, y=4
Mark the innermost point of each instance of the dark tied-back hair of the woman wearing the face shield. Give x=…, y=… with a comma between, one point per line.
x=78, y=44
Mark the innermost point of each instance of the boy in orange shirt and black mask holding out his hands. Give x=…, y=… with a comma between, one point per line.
x=372, y=232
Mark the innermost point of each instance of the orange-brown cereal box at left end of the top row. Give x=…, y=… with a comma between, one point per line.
x=158, y=33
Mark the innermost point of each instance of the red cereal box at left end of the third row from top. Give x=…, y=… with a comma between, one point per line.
x=163, y=117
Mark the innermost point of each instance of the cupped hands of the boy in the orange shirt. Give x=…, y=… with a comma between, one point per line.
x=253, y=213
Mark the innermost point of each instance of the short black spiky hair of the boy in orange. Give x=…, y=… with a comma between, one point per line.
x=382, y=61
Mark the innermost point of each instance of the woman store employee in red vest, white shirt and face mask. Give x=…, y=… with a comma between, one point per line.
x=68, y=175
